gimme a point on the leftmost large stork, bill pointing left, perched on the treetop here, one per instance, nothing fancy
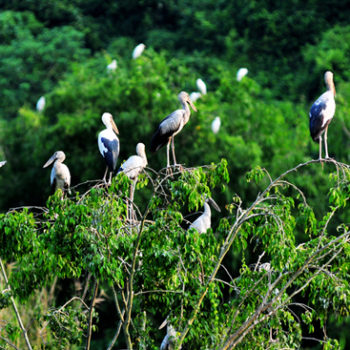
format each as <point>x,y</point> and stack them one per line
<point>60,175</point>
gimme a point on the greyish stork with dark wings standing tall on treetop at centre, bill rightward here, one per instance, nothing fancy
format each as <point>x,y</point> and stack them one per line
<point>172,125</point>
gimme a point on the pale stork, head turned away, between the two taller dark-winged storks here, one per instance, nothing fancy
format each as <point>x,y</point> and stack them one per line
<point>132,167</point>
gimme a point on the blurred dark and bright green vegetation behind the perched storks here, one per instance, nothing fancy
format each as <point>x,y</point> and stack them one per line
<point>60,50</point>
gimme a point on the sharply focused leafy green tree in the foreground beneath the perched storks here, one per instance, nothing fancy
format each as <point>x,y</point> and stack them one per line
<point>154,268</point>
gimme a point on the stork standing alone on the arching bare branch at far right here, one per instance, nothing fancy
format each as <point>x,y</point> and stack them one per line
<point>321,114</point>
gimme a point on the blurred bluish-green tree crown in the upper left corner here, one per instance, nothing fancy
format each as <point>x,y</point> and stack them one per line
<point>33,58</point>
